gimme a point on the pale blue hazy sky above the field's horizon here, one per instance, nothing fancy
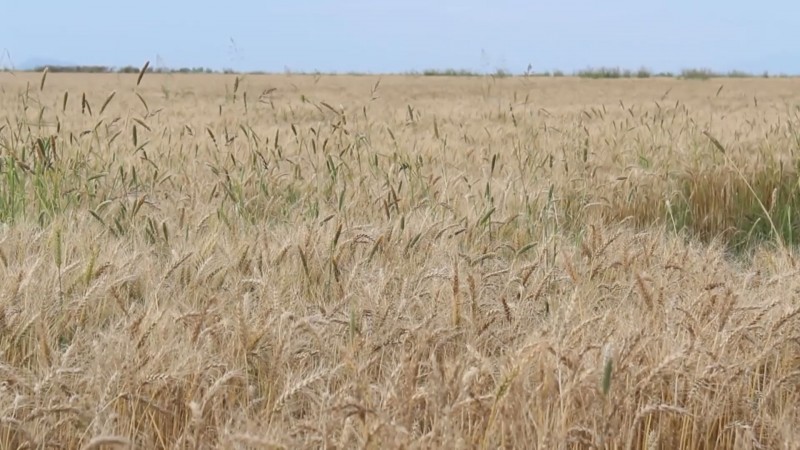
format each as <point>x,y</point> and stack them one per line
<point>382,36</point>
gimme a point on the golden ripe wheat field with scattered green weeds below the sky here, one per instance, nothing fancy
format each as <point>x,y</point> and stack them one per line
<point>223,261</point>
